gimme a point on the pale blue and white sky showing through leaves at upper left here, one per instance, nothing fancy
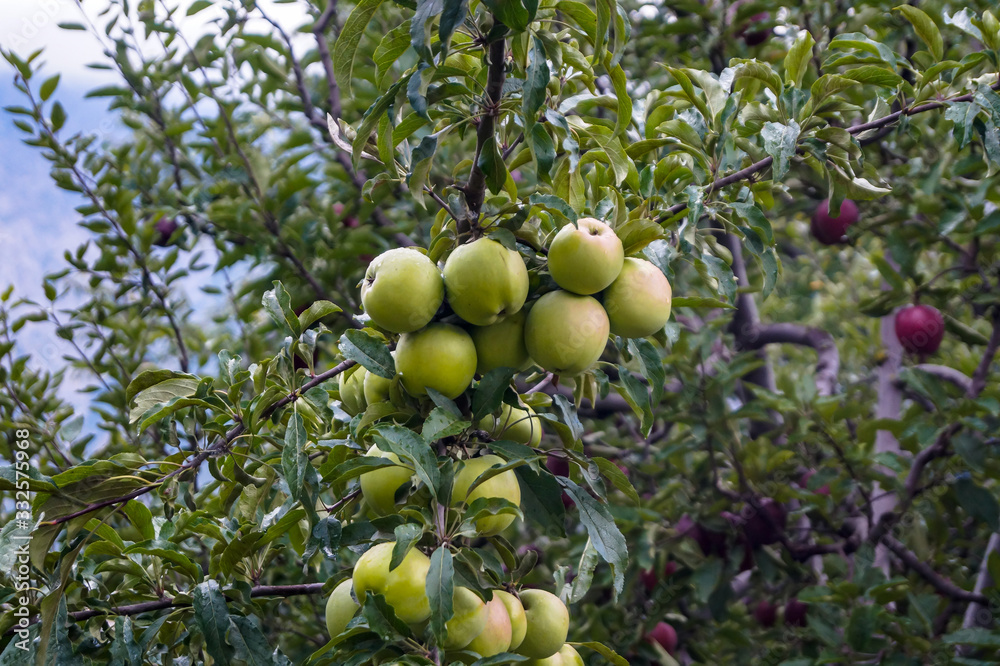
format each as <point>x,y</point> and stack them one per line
<point>38,222</point>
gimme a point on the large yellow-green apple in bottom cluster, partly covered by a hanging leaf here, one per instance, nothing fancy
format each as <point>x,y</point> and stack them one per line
<point>404,588</point>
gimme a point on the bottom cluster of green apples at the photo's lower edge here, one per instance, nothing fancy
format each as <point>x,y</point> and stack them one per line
<point>532,623</point>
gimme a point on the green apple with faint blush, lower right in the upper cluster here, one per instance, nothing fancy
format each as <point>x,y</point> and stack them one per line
<point>566,333</point>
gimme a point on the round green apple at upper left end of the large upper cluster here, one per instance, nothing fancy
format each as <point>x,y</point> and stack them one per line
<point>402,290</point>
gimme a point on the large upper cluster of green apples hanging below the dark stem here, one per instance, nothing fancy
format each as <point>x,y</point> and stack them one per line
<point>486,285</point>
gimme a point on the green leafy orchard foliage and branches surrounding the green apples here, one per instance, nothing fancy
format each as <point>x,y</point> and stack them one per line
<point>769,478</point>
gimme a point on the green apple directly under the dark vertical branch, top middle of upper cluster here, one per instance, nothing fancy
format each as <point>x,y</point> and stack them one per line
<point>485,281</point>
